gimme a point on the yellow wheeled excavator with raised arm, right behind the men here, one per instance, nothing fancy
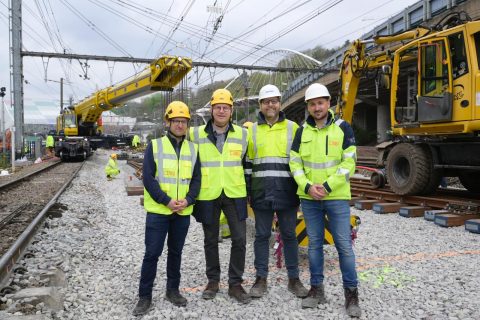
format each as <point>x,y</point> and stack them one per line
<point>432,76</point>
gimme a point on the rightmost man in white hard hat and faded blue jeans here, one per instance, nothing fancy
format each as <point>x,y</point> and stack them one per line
<point>322,159</point>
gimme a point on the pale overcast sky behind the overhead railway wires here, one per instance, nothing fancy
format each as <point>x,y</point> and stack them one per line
<point>147,29</point>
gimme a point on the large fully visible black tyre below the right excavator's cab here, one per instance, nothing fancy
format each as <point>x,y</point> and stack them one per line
<point>409,168</point>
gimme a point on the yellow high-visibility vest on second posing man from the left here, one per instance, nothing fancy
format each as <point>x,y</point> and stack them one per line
<point>221,171</point>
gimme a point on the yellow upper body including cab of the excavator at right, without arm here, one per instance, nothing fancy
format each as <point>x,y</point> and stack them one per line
<point>432,84</point>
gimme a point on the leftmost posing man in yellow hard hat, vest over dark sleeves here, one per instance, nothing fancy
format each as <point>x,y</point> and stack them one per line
<point>171,176</point>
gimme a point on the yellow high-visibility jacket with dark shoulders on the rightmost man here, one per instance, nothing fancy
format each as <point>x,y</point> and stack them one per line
<point>321,159</point>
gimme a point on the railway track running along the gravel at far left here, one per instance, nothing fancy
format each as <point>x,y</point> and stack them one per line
<point>24,202</point>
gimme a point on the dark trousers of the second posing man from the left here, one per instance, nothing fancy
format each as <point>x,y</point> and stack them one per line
<point>238,237</point>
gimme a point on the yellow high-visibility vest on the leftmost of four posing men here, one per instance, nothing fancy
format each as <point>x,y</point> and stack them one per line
<point>173,174</point>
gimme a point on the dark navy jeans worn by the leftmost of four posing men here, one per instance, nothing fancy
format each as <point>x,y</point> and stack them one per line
<point>156,229</point>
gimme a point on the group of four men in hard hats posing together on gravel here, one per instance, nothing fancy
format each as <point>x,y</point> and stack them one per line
<point>220,167</point>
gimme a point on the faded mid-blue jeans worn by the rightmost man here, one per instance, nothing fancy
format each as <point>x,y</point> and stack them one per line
<point>338,213</point>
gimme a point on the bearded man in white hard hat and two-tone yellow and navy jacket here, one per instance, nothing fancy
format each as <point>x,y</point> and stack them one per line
<point>272,189</point>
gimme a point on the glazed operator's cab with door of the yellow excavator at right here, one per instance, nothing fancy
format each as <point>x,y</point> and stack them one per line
<point>423,93</point>
